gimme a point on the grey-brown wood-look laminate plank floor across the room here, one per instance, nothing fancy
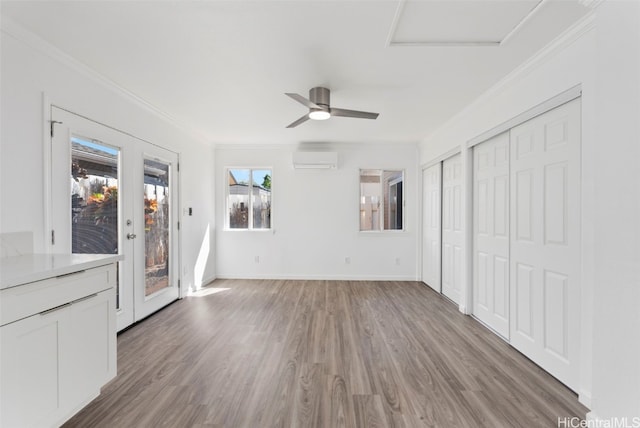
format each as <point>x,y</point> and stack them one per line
<point>284,353</point>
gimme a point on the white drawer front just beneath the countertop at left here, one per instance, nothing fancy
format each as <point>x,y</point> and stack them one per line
<point>29,299</point>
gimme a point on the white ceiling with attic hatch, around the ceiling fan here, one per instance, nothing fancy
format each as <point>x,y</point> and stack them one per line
<point>221,68</point>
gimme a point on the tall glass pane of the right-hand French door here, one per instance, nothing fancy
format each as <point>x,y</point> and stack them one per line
<point>157,224</point>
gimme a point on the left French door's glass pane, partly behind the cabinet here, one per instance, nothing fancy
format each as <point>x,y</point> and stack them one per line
<point>94,199</point>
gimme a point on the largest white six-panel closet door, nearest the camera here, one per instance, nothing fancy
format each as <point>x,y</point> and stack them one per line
<point>545,240</point>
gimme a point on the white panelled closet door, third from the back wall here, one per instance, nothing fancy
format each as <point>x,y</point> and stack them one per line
<point>491,233</point>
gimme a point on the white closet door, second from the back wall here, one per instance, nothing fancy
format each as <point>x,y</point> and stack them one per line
<point>452,237</point>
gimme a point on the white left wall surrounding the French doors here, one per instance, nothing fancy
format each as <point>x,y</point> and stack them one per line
<point>26,73</point>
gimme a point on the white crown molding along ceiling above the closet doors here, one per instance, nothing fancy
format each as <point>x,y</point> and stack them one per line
<point>560,43</point>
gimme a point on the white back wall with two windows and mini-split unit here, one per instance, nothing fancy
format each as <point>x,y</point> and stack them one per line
<point>316,218</point>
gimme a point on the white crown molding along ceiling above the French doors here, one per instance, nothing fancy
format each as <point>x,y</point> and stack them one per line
<point>13,29</point>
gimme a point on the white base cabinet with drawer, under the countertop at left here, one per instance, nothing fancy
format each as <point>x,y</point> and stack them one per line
<point>55,359</point>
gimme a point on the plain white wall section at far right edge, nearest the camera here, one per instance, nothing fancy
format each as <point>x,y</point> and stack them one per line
<point>616,315</point>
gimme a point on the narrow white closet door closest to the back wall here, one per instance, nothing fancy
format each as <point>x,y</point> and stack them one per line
<point>431,240</point>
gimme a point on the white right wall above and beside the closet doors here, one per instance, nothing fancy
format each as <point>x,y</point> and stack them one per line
<point>601,54</point>
